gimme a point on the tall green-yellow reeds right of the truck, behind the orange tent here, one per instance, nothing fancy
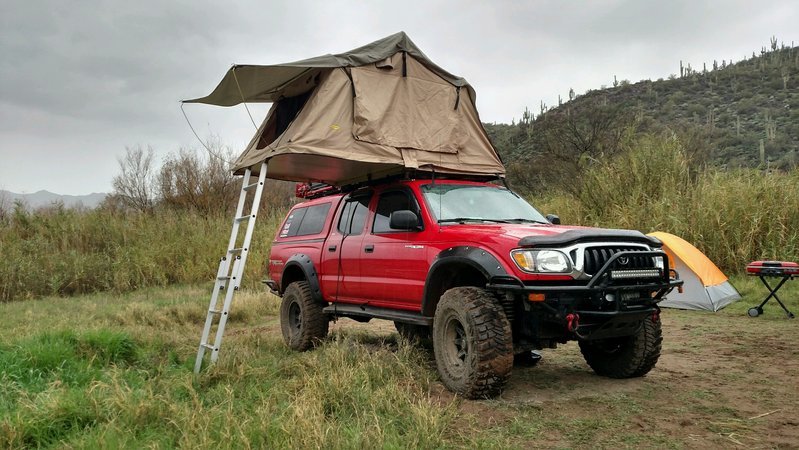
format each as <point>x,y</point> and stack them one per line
<point>733,216</point>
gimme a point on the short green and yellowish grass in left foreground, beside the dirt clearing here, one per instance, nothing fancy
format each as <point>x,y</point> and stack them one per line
<point>97,372</point>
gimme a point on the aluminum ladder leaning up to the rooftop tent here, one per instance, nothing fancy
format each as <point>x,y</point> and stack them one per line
<point>228,276</point>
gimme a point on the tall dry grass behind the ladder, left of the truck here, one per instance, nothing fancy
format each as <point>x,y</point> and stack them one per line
<point>58,251</point>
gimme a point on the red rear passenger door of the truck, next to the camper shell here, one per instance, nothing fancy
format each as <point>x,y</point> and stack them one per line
<point>340,255</point>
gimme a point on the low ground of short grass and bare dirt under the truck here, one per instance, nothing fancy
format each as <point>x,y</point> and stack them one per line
<point>107,371</point>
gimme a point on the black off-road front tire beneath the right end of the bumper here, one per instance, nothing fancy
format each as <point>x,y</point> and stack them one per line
<point>625,357</point>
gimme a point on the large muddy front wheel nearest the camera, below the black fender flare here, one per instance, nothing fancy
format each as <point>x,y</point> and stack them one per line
<point>472,342</point>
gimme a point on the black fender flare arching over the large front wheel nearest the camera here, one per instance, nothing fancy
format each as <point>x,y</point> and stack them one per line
<point>481,260</point>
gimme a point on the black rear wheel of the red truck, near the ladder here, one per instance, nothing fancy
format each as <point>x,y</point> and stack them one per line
<point>301,318</point>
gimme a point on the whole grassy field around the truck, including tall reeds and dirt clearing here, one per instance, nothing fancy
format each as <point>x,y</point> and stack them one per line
<point>99,352</point>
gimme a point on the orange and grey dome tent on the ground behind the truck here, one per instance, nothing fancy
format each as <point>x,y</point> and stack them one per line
<point>706,287</point>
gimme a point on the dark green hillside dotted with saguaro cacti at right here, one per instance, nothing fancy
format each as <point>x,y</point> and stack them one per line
<point>743,113</point>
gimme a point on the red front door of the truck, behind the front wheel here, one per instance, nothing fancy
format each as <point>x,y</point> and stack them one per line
<point>394,262</point>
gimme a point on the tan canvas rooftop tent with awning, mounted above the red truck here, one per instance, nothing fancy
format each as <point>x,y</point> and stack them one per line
<point>377,110</point>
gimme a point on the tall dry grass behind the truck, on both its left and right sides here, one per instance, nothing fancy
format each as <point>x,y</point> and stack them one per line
<point>733,216</point>
